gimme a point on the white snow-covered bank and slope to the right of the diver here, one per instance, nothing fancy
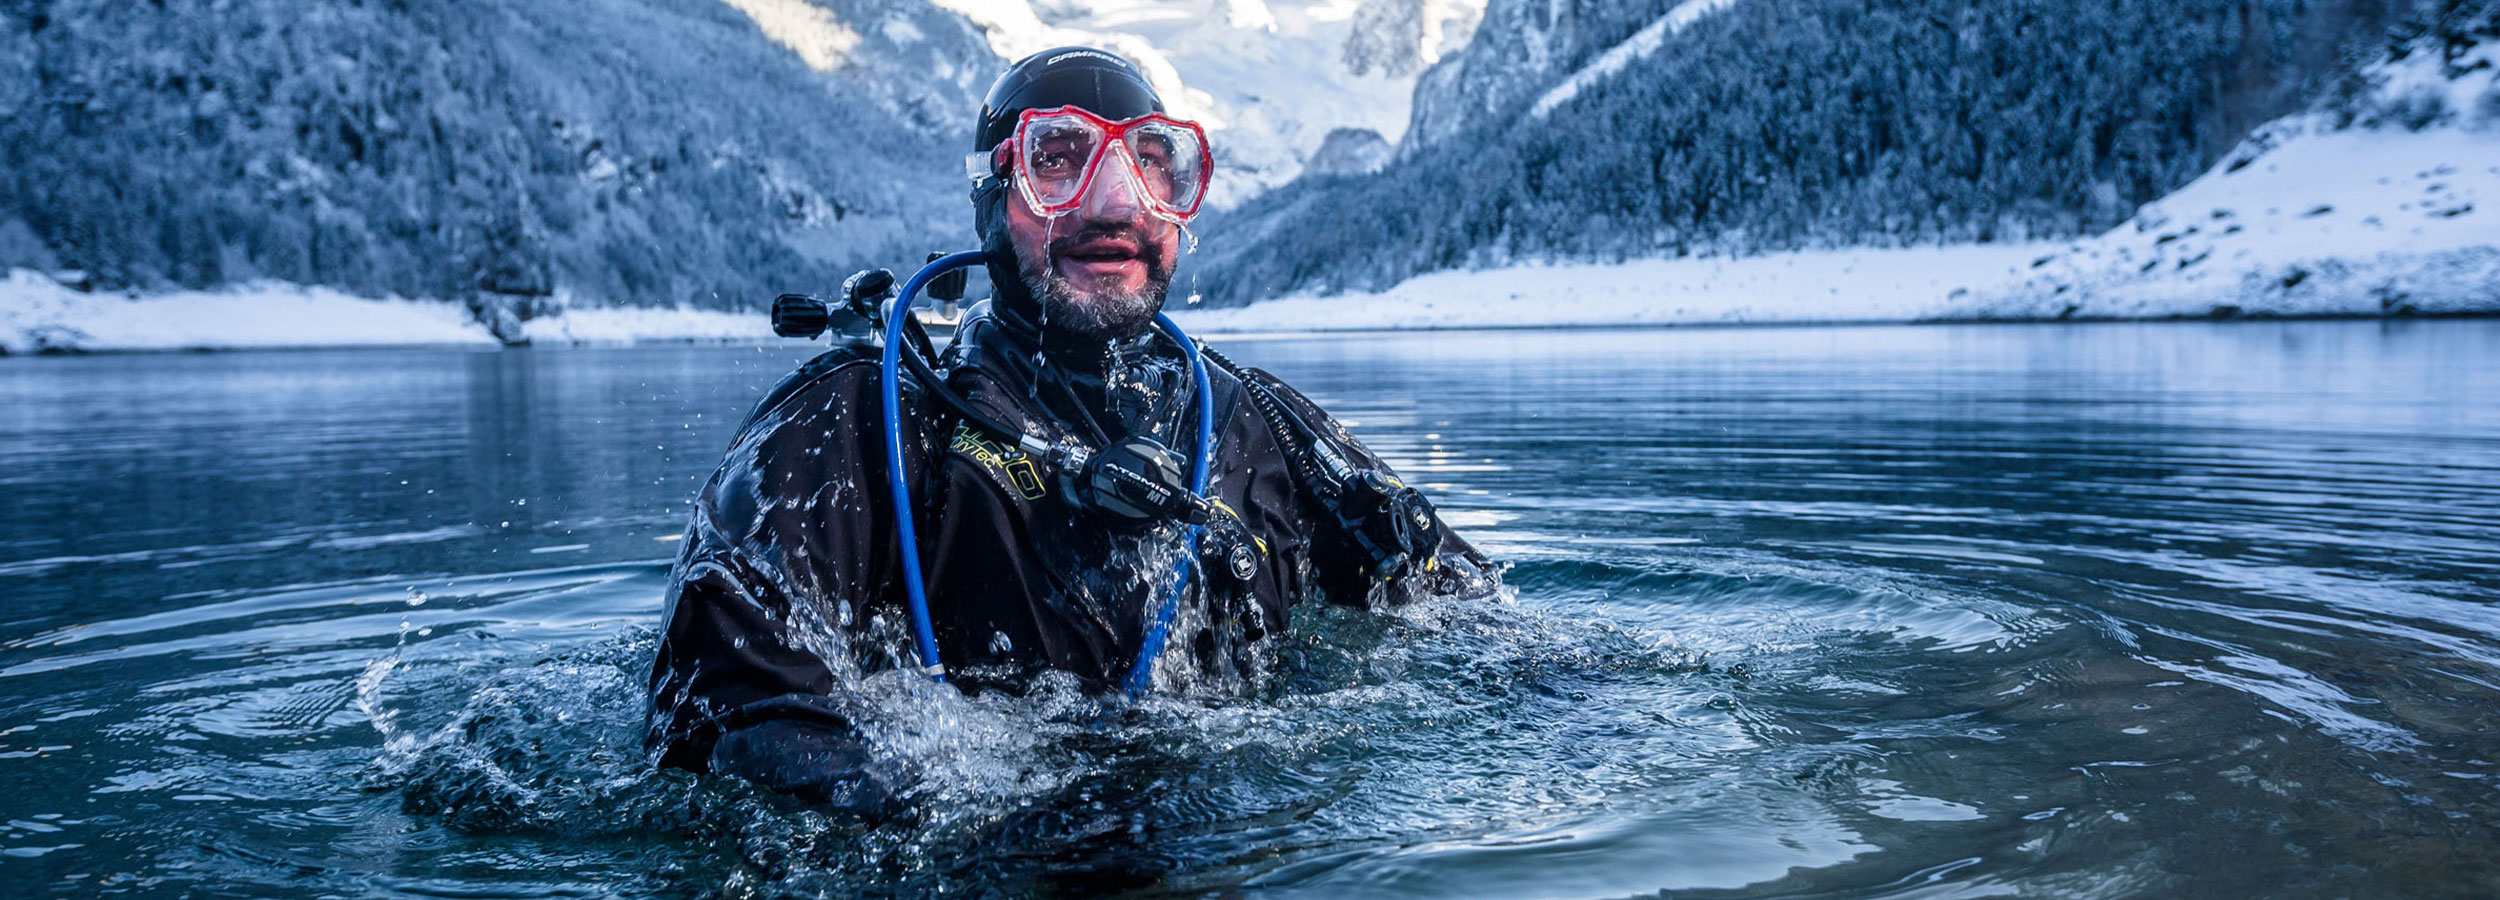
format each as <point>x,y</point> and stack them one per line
<point>2381,206</point>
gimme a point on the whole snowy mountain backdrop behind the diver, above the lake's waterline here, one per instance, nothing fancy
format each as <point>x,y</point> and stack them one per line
<point>531,156</point>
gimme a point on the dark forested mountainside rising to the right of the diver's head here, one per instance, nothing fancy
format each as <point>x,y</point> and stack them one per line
<point>1586,131</point>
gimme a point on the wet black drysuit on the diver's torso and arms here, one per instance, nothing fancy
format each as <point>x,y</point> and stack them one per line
<point>794,549</point>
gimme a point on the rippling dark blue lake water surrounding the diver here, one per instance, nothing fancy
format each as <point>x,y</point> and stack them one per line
<point>1864,611</point>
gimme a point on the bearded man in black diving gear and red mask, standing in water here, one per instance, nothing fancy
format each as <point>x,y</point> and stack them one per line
<point>1091,491</point>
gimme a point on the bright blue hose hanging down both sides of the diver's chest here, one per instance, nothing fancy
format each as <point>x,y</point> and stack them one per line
<point>924,634</point>
